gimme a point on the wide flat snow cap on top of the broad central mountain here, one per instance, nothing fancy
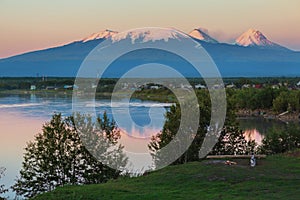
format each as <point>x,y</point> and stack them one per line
<point>148,34</point>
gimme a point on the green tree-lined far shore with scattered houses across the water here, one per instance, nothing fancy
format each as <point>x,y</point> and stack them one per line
<point>270,98</point>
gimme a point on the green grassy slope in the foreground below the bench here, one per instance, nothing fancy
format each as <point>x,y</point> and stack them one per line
<point>276,177</point>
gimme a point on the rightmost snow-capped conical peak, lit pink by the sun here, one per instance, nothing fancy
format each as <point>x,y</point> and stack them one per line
<point>254,37</point>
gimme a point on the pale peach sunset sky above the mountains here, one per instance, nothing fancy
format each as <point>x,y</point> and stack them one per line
<point>28,25</point>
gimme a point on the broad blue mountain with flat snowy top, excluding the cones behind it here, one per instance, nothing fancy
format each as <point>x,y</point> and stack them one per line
<point>232,59</point>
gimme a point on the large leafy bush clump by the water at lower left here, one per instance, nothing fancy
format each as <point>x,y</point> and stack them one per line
<point>58,157</point>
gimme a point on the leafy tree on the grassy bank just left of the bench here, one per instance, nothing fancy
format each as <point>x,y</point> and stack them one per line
<point>231,140</point>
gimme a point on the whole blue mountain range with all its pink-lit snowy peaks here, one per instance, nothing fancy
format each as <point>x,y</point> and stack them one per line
<point>252,55</point>
